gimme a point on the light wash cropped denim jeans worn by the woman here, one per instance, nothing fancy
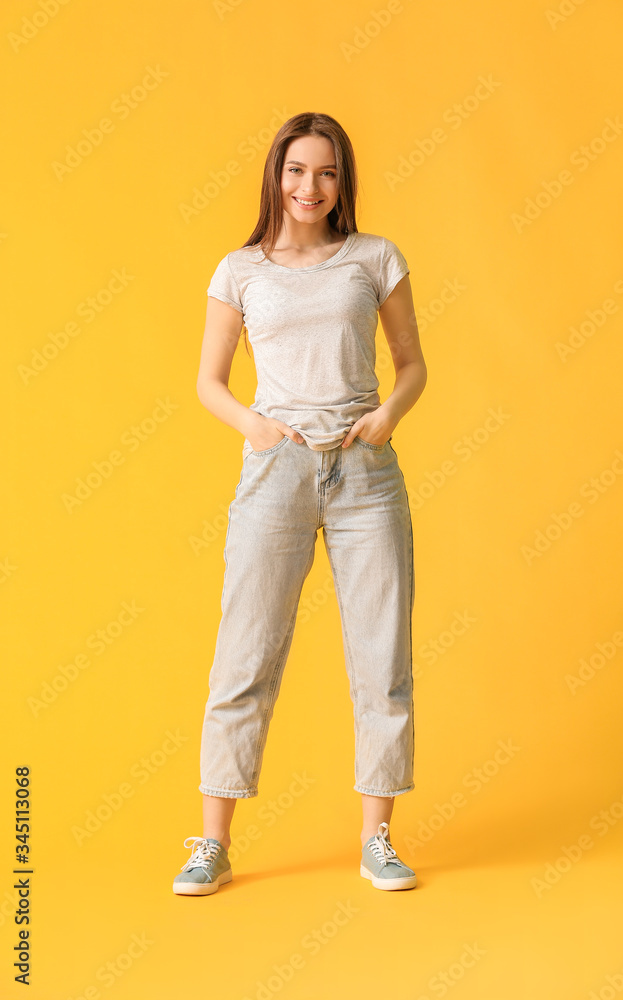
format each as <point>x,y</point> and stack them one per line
<point>285,494</point>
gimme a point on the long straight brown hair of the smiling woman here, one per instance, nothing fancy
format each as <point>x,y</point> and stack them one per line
<point>342,215</point>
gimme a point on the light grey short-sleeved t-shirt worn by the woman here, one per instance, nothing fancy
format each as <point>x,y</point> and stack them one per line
<point>312,331</point>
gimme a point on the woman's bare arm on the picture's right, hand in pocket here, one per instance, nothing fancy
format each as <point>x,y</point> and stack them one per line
<point>400,327</point>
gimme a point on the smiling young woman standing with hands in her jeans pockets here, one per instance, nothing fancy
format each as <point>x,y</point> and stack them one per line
<point>309,287</point>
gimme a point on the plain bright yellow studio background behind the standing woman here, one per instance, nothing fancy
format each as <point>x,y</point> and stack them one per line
<point>478,508</point>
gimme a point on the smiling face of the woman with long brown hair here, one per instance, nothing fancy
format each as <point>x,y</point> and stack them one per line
<point>309,173</point>
